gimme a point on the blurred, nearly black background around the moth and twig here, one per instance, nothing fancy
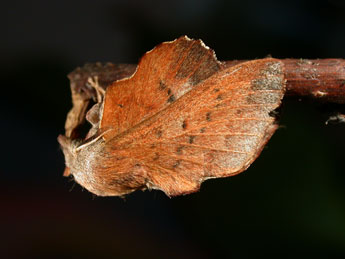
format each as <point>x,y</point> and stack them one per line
<point>290,202</point>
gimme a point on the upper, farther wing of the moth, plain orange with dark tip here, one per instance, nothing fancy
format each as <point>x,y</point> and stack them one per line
<point>164,75</point>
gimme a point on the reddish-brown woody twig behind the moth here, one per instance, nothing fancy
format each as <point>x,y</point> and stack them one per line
<point>321,79</point>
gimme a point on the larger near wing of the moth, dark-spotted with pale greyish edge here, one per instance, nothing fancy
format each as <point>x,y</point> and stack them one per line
<point>215,130</point>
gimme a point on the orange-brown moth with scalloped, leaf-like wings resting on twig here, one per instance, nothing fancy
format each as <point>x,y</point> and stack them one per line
<point>183,117</point>
